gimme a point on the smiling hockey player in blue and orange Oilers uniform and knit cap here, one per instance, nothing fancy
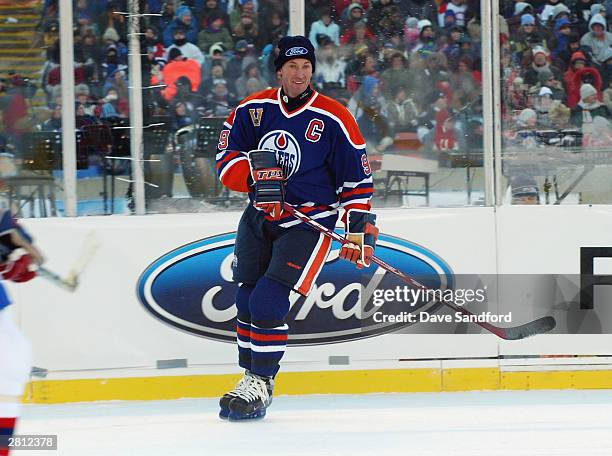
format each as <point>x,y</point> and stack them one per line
<point>292,145</point>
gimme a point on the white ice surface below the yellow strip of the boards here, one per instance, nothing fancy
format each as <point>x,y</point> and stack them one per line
<point>521,423</point>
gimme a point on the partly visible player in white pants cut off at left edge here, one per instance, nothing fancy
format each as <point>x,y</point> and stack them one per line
<point>17,254</point>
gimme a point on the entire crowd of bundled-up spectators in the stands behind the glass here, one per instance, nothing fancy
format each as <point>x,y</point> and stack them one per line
<point>409,66</point>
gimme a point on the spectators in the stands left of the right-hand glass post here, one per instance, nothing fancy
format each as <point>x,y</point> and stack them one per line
<point>410,66</point>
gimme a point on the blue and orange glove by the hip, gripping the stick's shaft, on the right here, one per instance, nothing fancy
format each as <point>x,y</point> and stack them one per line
<point>361,232</point>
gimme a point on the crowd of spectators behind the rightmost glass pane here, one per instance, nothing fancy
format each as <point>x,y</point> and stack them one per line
<point>556,66</point>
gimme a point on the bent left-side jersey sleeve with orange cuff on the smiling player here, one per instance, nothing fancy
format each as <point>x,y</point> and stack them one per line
<point>232,159</point>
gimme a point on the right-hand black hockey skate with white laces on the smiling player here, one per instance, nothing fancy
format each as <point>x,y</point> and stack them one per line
<point>252,399</point>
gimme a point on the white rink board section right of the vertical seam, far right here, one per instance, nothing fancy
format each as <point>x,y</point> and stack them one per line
<point>547,240</point>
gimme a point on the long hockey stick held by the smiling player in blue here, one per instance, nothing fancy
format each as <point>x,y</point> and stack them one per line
<point>539,326</point>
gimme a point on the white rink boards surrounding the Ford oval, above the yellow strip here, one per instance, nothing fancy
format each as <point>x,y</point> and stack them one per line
<point>104,326</point>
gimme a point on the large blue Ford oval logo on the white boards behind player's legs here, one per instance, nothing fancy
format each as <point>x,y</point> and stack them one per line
<point>190,288</point>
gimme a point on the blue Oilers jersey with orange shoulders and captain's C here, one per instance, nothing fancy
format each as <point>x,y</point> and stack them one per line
<point>319,147</point>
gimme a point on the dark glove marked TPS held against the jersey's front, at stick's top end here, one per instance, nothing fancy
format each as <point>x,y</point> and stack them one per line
<point>268,182</point>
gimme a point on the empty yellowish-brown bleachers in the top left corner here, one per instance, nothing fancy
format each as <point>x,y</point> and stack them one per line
<point>22,50</point>
